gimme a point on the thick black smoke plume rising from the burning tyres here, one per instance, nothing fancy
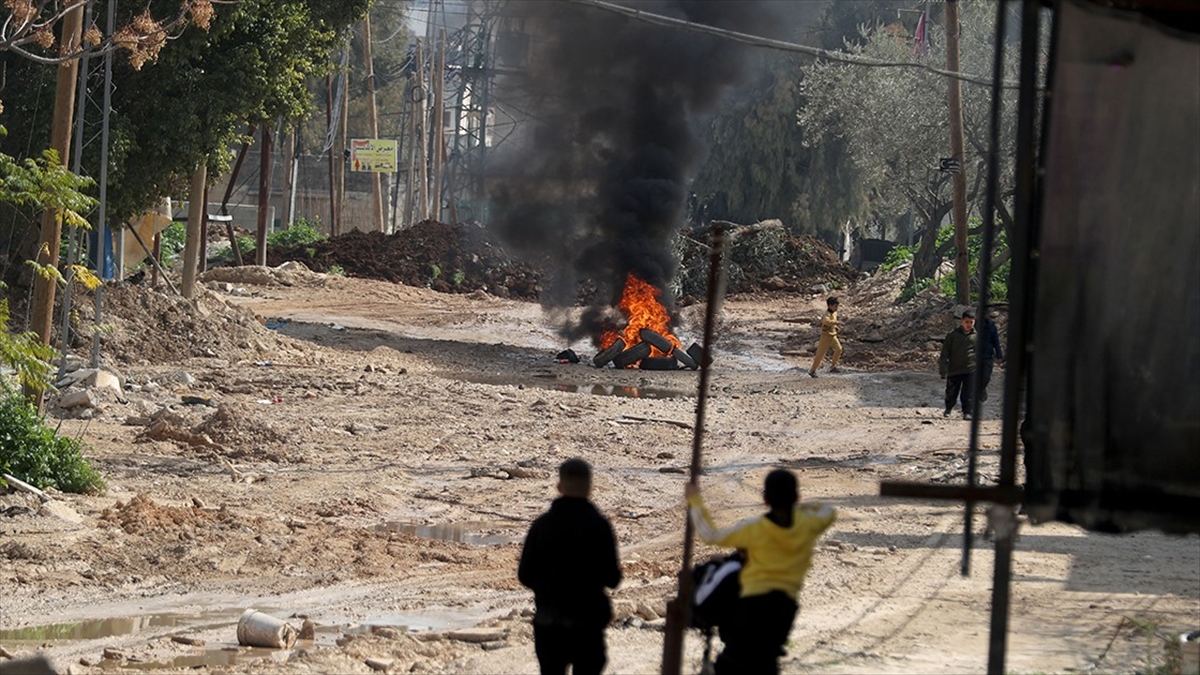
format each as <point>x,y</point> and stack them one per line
<point>597,187</point>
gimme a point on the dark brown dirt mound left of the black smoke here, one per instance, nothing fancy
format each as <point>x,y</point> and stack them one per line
<point>461,259</point>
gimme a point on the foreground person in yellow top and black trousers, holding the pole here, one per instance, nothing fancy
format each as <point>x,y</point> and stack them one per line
<point>779,552</point>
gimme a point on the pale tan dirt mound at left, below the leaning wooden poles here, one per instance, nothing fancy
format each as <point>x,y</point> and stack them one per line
<point>141,325</point>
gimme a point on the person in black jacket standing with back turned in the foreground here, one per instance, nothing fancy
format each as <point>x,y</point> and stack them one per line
<point>568,560</point>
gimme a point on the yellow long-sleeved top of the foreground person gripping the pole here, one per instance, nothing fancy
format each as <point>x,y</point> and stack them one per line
<point>778,559</point>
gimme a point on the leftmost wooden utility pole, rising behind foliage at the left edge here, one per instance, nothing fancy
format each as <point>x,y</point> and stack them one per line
<point>61,140</point>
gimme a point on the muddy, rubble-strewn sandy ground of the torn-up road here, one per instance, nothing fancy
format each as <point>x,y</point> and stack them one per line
<point>371,461</point>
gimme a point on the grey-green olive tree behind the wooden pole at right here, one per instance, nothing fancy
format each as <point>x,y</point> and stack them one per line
<point>895,126</point>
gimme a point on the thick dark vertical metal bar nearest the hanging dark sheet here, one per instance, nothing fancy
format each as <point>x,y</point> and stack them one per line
<point>1019,325</point>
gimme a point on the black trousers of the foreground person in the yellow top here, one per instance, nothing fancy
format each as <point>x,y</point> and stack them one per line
<point>758,638</point>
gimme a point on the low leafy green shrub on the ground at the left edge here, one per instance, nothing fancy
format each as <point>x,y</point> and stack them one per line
<point>35,453</point>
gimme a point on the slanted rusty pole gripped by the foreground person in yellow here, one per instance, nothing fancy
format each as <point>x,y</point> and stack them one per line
<point>680,610</point>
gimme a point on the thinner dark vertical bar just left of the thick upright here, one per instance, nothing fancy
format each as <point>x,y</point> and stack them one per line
<point>989,234</point>
